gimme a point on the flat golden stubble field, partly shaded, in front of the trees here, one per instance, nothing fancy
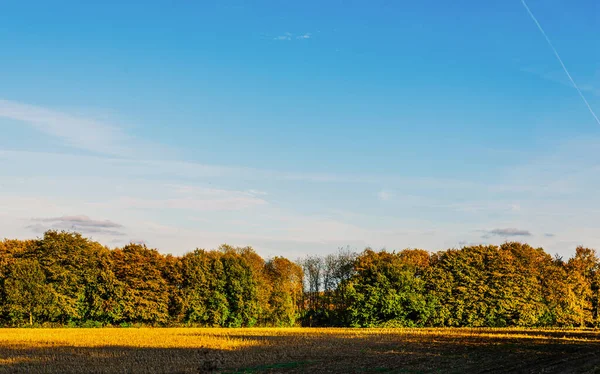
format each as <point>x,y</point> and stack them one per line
<point>191,350</point>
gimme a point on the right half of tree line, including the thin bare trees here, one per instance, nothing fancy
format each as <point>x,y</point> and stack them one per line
<point>493,286</point>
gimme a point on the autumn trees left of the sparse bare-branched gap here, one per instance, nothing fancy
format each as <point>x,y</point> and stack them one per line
<point>64,278</point>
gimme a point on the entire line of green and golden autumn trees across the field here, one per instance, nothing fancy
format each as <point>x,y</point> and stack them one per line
<point>65,279</point>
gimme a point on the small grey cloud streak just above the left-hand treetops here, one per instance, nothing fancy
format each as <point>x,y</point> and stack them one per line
<point>79,223</point>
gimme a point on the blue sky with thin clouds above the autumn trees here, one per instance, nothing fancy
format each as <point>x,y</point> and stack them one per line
<point>301,127</point>
